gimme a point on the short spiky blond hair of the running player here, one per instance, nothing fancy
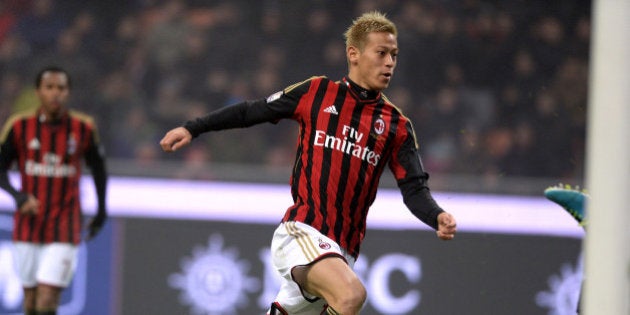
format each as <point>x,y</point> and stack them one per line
<point>370,22</point>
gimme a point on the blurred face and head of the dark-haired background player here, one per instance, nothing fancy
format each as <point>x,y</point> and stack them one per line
<point>53,92</point>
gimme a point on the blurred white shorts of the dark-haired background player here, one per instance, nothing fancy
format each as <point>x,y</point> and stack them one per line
<point>52,264</point>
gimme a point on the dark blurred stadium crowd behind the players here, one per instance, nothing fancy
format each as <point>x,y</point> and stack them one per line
<point>494,88</point>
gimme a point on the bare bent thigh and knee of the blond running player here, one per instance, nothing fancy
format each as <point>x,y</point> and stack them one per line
<point>329,278</point>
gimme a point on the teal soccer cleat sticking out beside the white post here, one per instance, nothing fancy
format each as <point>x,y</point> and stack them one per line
<point>571,199</point>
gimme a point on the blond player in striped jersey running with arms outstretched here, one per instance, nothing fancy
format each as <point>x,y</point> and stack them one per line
<point>348,133</point>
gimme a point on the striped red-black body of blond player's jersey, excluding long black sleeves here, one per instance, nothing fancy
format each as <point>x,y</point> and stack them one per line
<point>345,141</point>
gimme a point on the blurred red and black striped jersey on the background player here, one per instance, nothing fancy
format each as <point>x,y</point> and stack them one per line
<point>49,156</point>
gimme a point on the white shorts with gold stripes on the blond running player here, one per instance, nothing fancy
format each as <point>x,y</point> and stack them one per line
<point>296,244</point>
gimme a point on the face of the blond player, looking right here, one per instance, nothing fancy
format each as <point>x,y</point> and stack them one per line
<point>376,63</point>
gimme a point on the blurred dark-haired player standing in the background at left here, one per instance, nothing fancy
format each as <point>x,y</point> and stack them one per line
<point>48,143</point>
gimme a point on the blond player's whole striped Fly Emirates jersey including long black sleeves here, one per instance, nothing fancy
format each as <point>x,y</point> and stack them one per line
<point>347,136</point>
